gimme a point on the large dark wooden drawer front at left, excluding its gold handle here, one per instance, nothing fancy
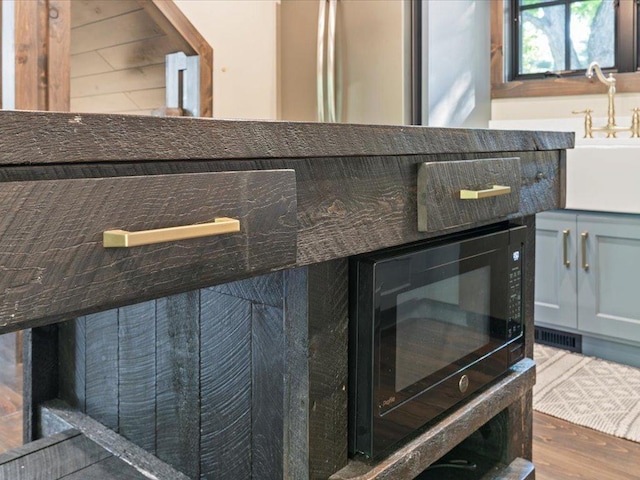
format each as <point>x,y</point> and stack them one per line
<point>53,263</point>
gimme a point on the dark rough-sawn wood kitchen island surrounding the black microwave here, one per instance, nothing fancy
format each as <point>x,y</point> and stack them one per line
<point>226,356</point>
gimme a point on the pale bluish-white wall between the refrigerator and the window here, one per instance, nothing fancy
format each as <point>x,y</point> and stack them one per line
<point>458,47</point>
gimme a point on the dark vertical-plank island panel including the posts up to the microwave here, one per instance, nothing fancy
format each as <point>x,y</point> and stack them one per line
<point>242,380</point>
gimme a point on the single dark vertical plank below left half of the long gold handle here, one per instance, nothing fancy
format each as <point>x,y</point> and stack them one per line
<point>137,374</point>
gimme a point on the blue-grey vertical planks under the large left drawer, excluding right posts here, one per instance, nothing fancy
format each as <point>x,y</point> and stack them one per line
<point>198,379</point>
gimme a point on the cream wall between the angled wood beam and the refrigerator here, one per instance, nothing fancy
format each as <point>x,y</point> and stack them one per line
<point>243,37</point>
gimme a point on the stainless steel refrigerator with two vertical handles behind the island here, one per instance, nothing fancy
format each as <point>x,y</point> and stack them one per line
<point>353,61</point>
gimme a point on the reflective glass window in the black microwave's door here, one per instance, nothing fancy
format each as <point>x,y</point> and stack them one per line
<point>443,319</point>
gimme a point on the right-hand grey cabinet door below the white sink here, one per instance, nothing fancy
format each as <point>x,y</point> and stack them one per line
<point>609,263</point>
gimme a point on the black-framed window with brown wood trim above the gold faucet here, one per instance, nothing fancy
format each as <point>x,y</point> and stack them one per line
<point>549,39</point>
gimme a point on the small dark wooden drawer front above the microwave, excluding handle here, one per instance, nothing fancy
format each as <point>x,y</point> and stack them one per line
<point>440,183</point>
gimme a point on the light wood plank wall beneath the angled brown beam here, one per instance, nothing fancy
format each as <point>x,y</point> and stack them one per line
<point>117,57</point>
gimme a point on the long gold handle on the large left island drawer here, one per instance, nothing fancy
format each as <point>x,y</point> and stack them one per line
<point>124,239</point>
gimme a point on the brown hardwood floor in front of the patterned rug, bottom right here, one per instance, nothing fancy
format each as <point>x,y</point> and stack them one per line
<point>562,450</point>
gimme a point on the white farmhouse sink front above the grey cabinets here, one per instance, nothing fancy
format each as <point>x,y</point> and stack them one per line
<point>604,175</point>
